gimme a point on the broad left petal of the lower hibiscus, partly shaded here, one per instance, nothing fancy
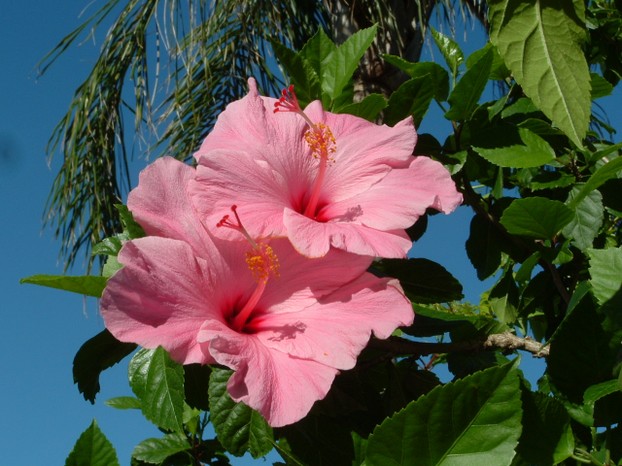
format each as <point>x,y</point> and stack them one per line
<point>160,298</point>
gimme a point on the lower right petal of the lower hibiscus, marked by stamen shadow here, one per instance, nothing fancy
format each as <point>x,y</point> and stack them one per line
<point>336,329</point>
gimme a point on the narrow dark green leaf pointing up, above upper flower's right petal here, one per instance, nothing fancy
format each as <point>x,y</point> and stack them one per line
<point>463,99</point>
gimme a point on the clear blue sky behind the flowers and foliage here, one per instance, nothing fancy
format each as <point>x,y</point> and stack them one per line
<point>42,413</point>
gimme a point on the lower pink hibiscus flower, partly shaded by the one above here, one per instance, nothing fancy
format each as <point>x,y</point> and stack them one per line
<point>285,323</point>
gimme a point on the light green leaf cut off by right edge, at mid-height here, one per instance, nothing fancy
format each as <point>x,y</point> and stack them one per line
<point>606,272</point>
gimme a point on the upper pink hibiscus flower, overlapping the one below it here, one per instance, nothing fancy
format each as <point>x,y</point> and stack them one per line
<point>318,178</point>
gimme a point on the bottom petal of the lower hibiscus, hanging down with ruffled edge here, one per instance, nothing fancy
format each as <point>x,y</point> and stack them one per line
<point>282,388</point>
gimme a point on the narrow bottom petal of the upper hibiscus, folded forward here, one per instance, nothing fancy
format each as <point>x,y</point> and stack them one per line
<point>313,239</point>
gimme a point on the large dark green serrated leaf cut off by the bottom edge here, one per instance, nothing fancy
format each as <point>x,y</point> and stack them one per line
<point>472,421</point>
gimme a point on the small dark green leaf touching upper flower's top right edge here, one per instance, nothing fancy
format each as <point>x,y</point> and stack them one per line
<point>412,98</point>
